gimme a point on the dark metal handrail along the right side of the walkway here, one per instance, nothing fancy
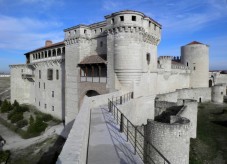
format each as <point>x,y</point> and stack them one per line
<point>132,138</point>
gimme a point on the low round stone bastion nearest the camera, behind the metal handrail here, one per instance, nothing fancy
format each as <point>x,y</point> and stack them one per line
<point>172,140</point>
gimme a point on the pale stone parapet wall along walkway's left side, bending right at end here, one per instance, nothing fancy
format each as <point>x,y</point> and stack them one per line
<point>75,148</point>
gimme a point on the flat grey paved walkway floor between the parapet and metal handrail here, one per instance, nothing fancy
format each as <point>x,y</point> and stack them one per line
<point>106,143</point>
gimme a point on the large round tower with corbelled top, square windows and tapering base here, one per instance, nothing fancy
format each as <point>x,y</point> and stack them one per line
<point>132,45</point>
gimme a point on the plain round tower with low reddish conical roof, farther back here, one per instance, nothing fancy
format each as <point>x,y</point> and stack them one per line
<point>195,55</point>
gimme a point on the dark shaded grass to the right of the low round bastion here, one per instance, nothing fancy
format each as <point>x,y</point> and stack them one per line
<point>211,134</point>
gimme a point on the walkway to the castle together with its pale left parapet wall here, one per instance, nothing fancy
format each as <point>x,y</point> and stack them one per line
<point>95,137</point>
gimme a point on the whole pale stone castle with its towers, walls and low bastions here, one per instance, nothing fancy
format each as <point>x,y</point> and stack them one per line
<point>120,54</point>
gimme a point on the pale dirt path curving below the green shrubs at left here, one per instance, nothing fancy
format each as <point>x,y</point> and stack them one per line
<point>14,141</point>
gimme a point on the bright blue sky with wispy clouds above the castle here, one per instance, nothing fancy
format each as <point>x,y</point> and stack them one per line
<point>26,24</point>
